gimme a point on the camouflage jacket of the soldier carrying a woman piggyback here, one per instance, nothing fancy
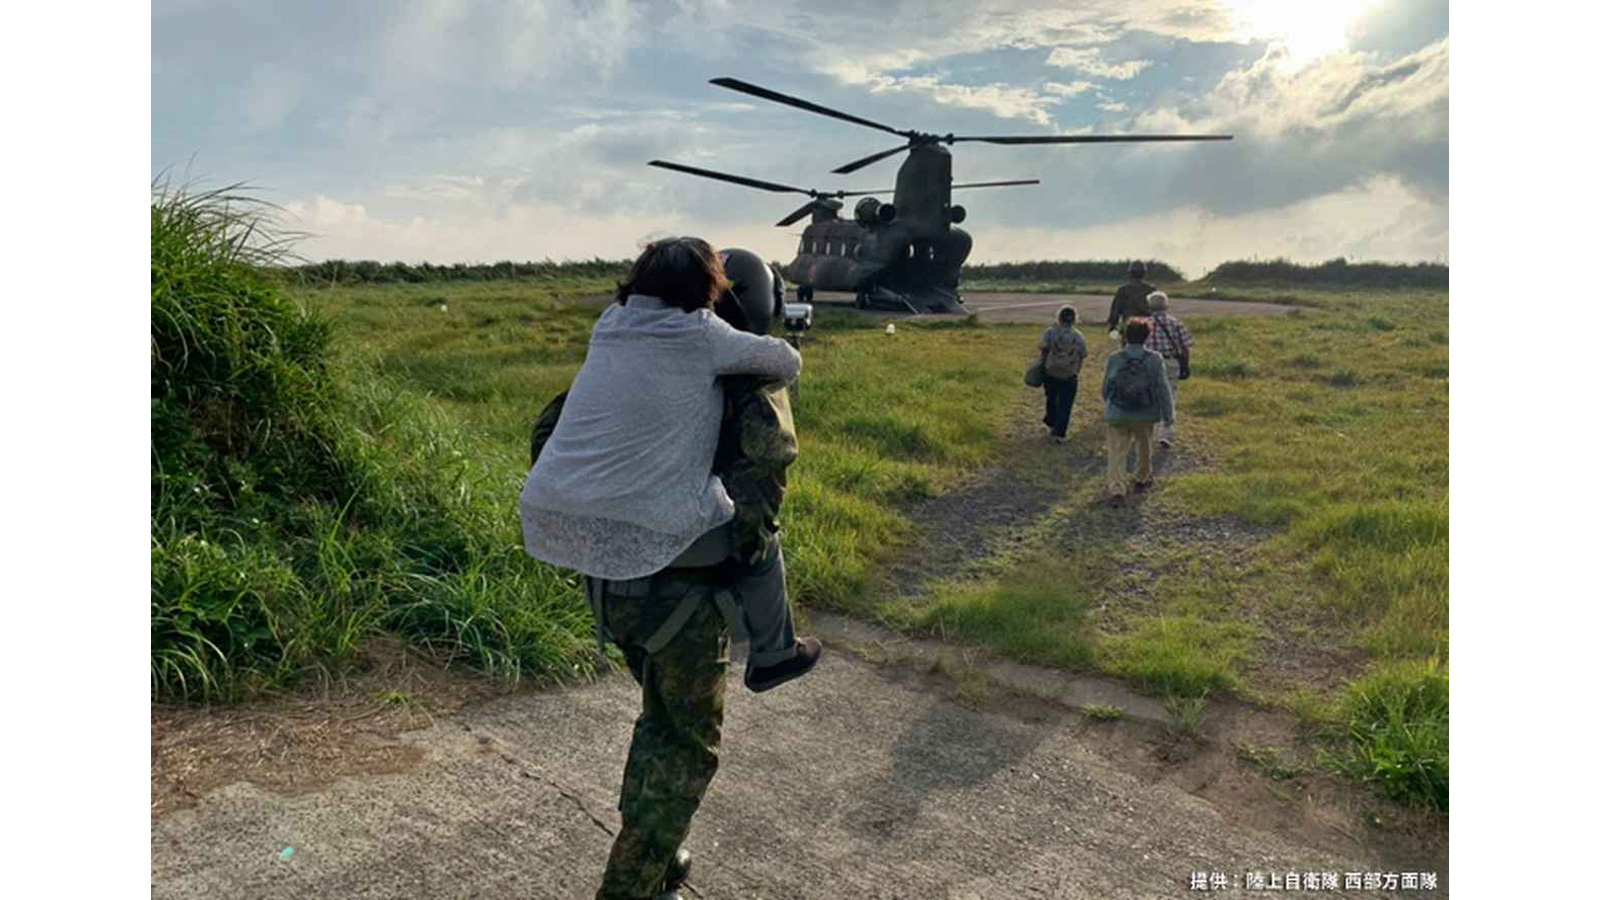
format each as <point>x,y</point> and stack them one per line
<point>754,452</point>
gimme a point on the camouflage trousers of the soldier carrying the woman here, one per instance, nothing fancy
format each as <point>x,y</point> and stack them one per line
<point>679,729</point>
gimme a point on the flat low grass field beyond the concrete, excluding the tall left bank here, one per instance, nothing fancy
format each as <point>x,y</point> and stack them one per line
<point>1324,436</point>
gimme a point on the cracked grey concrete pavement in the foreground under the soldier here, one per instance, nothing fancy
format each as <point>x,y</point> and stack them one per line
<point>862,781</point>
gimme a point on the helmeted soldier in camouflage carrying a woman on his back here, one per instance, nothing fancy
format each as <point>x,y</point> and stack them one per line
<point>674,627</point>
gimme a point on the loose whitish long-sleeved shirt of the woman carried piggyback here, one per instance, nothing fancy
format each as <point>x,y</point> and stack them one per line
<point>625,483</point>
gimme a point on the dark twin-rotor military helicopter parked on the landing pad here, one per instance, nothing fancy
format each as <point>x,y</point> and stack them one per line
<point>905,255</point>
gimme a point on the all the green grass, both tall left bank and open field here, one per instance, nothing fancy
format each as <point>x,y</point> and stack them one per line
<point>330,462</point>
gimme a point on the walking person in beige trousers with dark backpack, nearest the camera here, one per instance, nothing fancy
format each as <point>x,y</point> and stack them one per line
<point>1137,398</point>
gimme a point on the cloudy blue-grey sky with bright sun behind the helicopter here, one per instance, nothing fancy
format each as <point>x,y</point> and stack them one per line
<point>479,131</point>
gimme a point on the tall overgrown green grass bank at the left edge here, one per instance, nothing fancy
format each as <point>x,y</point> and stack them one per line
<point>294,510</point>
